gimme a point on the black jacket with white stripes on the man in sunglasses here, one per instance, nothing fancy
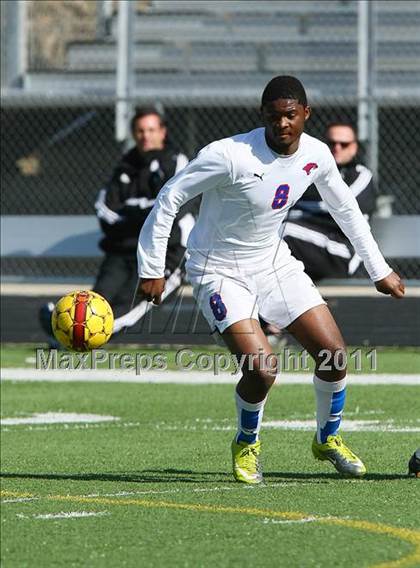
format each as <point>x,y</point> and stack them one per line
<point>312,212</point>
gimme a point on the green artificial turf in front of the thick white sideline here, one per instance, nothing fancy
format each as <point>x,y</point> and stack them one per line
<point>160,480</point>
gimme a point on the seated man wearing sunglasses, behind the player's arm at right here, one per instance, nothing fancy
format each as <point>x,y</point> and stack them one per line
<point>311,233</point>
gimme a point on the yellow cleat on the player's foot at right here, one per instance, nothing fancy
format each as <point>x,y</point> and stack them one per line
<point>343,459</point>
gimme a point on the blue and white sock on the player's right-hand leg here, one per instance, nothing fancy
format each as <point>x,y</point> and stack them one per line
<point>330,398</point>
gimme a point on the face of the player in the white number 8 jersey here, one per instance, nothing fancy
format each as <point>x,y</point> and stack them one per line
<point>284,121</point>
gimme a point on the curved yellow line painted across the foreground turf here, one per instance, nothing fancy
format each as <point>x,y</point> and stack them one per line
<point>409,535</point>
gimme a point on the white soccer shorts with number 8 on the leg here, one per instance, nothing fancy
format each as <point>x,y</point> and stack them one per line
<point>278,294</point>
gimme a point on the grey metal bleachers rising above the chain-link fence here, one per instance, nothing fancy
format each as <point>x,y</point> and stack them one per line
<point>224,44</point>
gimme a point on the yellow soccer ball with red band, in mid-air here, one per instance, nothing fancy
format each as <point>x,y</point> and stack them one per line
<point>82,320</point>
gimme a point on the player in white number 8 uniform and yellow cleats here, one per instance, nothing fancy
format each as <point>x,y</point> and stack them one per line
<point>240,267</point>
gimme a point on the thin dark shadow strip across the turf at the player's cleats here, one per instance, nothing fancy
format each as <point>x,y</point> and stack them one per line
<point>190,476</point>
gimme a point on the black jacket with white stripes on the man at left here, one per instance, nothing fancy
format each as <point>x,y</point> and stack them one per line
<point>124,203</point>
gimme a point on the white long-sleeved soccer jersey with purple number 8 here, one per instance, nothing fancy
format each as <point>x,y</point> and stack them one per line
<point>247,190</point>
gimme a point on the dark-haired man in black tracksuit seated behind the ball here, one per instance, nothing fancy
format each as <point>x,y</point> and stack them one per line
<point>125,202</point>
